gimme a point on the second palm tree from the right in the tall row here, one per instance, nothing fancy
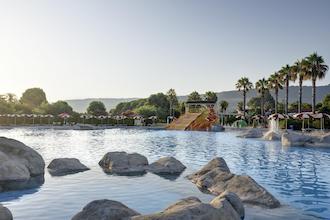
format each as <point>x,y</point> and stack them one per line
<point>299,71</point>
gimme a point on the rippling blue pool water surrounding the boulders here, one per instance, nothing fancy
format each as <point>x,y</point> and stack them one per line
<point>299,177</point>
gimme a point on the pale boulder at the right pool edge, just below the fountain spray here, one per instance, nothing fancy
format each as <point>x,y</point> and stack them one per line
<point>290,139</point>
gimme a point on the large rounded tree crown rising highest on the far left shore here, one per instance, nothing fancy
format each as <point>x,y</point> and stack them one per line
<point>33,97</point>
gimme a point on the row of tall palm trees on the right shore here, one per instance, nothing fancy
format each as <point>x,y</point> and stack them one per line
<point>311,68</point>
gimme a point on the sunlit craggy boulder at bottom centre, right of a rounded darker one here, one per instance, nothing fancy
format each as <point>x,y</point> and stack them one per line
<point>193,208</point>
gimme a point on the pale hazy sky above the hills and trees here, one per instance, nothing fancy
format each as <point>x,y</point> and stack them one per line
<point>103,48</point>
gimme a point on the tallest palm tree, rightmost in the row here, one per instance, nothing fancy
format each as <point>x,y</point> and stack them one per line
<point>316,70</point>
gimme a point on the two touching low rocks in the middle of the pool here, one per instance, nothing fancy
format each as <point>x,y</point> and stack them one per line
<point>123,163</point>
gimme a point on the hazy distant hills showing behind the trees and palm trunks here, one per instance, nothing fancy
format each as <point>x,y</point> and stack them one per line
<point>233,97</point>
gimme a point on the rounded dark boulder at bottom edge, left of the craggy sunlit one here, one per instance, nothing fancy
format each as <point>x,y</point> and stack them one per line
<point>105,209</point>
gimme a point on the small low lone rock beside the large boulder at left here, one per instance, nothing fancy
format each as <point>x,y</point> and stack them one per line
<point>63,166</point>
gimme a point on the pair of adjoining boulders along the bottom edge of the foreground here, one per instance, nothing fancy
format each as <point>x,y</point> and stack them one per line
<point>227,206</point>
